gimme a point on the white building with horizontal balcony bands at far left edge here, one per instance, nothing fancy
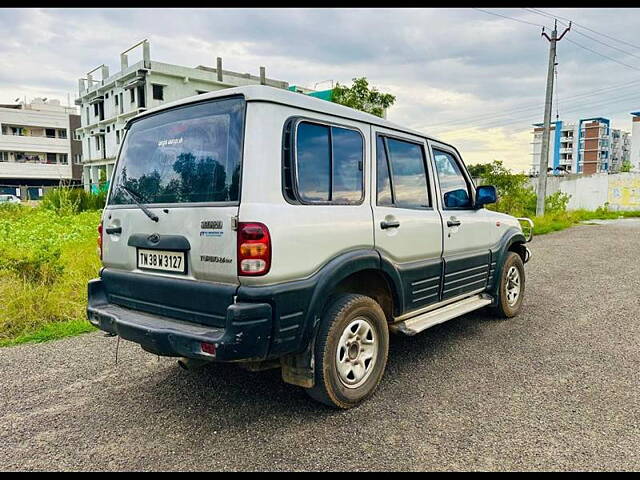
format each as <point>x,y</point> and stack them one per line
<point>37,147</point>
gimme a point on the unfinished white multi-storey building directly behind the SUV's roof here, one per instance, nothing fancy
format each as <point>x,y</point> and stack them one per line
<point>106,104</point>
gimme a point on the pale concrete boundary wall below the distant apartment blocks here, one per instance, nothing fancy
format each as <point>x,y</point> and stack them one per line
<point>621,191</point>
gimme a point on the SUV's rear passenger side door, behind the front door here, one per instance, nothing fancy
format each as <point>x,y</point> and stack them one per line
<point>407,227</point>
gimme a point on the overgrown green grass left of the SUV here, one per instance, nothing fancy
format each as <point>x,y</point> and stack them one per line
<point>46,260</point>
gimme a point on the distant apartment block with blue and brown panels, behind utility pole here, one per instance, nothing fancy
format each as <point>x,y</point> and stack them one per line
<point>587,146</point>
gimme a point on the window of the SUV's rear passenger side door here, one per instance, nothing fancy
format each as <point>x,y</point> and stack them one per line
<point>408,185</point>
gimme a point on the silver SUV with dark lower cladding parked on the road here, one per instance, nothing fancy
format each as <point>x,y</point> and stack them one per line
<point>266,227</point>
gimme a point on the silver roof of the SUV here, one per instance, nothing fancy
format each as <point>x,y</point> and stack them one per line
<point>264,93</point>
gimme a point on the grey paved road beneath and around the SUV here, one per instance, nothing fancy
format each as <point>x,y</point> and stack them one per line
<point>556,388</point>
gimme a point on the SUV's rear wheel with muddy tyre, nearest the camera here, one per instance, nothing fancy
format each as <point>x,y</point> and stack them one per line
<point>349,324</point>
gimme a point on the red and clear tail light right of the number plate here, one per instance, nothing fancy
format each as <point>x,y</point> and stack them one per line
<point>254,249</point>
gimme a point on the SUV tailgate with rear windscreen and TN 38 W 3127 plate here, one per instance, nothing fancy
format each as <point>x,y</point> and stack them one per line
<point>183,164</point>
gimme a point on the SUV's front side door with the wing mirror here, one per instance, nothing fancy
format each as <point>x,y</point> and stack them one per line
<point>467,231</point>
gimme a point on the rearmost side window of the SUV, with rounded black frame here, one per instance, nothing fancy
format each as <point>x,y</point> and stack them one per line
<point>327,165</point>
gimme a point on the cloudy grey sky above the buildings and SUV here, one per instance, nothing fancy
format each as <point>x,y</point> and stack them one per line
<point>466,76</point>
